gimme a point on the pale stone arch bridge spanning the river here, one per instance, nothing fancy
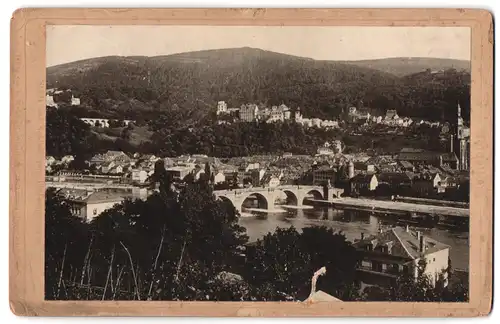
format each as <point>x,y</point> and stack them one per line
<point>296,195</point>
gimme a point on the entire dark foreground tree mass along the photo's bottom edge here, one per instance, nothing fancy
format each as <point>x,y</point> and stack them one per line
<point>186,245</point>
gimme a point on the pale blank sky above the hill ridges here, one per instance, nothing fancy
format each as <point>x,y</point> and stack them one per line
<point>77,42</point>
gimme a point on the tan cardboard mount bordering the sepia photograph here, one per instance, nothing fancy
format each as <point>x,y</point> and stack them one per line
<point>27,152</point>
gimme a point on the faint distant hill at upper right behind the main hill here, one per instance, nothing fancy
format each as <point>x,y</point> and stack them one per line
<point>401,66</point>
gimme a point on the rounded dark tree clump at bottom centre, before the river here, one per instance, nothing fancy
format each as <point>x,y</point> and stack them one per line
<point>286,260</point>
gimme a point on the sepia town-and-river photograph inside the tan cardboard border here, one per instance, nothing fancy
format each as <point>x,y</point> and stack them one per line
<point>257,163</point>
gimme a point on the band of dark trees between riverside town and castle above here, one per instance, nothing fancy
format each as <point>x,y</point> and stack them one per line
<point>170,136</point>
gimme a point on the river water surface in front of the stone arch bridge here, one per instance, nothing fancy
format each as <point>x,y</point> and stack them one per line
<point>352,223</point>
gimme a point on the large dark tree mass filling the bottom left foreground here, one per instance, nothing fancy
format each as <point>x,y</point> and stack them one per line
<point>169,247</point>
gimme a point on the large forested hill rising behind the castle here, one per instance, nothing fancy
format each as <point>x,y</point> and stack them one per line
<point>192,83</point>
